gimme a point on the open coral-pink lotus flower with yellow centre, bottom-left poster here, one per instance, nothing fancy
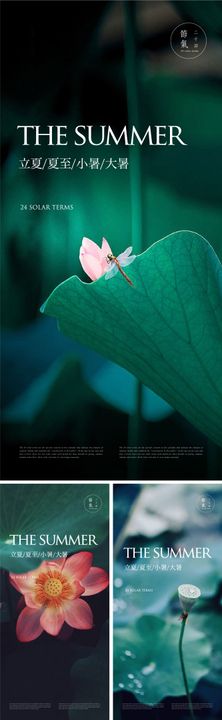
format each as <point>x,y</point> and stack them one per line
<point>53,592</point>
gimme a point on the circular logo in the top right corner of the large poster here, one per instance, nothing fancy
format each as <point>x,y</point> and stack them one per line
<point>188,41</point>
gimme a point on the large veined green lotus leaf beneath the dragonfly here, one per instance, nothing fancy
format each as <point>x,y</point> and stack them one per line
<point>166,329</point>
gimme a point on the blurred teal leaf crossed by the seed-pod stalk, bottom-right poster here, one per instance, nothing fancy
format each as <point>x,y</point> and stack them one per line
<point>146,659</point>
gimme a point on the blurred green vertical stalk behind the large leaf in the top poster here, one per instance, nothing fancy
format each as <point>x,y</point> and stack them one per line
<point>135,176</point>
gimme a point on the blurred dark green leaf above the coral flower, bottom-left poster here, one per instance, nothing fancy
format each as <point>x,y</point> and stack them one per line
<point>59,509</point>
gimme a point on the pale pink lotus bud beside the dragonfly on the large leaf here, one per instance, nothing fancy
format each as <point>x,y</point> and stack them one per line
<point>93,258</point>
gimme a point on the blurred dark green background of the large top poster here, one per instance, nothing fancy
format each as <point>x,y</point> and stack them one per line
<point>63,63</point>
